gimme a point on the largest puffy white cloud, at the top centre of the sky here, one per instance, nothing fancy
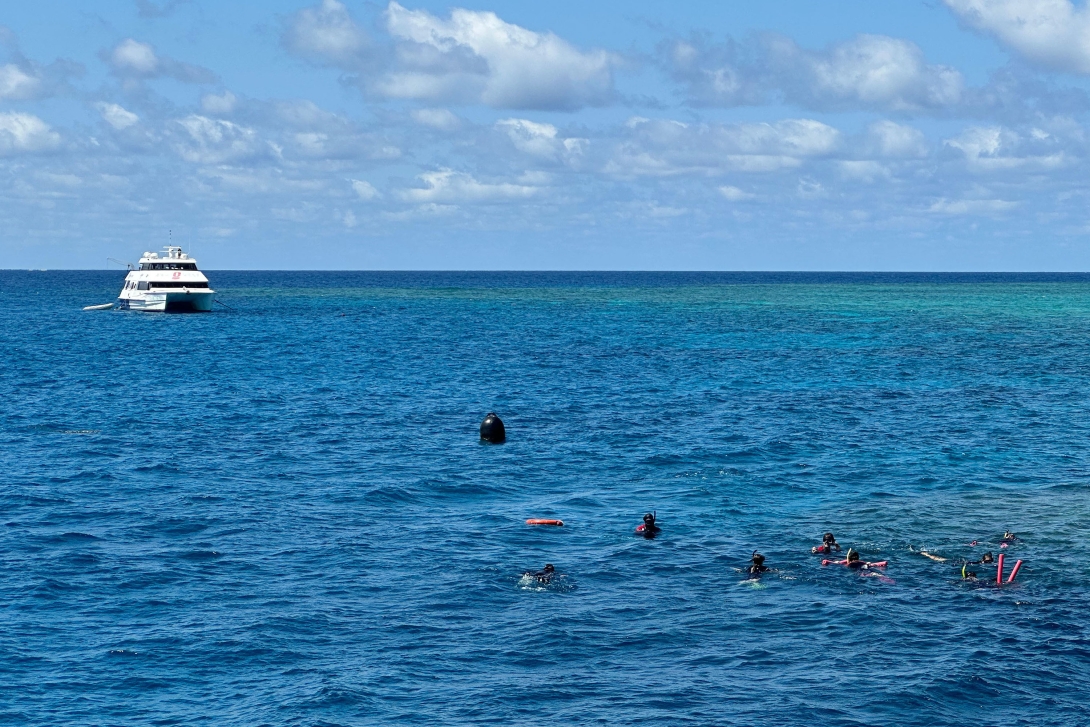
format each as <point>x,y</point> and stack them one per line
<point>476,57</point>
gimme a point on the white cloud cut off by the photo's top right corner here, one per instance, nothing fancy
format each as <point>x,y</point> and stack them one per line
<point>1053,33</point>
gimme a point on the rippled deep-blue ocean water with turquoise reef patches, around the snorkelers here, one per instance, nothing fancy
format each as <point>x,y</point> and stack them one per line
<point>281,513</point>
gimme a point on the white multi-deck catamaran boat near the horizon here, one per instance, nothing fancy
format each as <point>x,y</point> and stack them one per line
<point>171,284</point>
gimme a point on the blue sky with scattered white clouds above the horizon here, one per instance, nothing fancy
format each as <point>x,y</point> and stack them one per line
<point>947,136</point>
